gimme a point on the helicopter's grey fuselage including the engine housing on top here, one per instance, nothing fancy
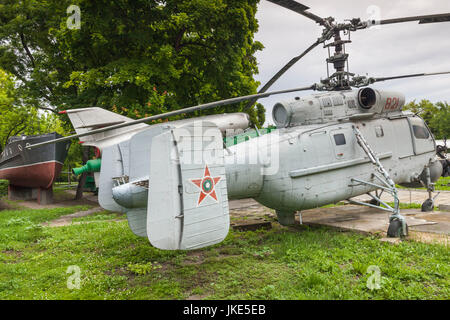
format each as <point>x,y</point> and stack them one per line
<point>315,158</point>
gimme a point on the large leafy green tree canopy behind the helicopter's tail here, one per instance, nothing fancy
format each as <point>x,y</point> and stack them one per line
<point>137,57</point>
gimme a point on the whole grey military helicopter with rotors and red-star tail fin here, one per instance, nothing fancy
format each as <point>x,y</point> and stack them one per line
<point>174,180</point>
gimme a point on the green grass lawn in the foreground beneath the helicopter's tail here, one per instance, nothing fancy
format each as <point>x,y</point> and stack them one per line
<point>281,263</point>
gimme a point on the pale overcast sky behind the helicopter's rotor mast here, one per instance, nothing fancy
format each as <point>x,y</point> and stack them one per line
<point>387,50</point>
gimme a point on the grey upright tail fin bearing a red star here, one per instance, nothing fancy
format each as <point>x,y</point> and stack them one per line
<point>188,204</point>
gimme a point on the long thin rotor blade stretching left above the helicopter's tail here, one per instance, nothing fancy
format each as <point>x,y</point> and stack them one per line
<point>174,113</point>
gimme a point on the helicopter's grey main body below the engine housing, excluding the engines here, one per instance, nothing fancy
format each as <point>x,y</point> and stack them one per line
<point>317,162</point>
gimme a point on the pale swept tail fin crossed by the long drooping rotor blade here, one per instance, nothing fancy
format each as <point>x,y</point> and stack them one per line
<point>88,119</point>
